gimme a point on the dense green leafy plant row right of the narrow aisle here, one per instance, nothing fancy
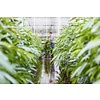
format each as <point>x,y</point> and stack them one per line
<point>77,51</point>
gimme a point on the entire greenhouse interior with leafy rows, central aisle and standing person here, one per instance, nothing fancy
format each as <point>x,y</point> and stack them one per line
<point>49,50</point>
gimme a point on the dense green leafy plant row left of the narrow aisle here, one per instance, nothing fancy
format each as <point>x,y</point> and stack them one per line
<point>19,51</point>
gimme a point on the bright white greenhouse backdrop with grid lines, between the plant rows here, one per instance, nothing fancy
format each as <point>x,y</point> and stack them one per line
<point>43,25</point>
